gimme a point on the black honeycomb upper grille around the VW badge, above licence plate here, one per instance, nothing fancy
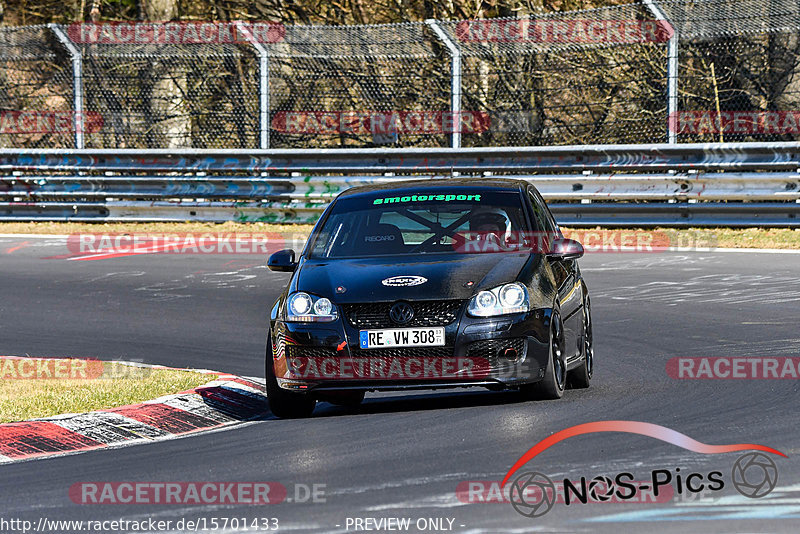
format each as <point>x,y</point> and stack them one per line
<point>426,313</point>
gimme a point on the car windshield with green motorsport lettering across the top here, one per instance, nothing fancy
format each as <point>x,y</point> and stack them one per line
<point>429,221</point>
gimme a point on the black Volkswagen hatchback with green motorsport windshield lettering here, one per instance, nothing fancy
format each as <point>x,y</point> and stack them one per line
<point>429,284</point>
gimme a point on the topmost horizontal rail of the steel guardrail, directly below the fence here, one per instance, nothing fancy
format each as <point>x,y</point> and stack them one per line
<point>655,157</point>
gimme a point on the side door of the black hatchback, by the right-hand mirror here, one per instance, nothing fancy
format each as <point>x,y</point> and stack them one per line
<point>565,273</point>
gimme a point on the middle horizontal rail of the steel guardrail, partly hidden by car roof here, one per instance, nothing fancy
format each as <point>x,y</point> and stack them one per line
<point>731,186</point>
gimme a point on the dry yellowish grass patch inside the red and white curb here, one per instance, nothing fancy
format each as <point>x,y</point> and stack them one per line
<point>118,385</point>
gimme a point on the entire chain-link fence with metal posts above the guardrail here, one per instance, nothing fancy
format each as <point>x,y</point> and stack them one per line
<point>655,71</point>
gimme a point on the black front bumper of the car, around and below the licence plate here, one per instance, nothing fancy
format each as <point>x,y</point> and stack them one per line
<point>501,352</point>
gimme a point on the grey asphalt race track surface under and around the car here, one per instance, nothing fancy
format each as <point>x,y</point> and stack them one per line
<point>404,454</point>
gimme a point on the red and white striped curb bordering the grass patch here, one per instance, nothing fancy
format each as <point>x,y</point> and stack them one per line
<point>225,402</point>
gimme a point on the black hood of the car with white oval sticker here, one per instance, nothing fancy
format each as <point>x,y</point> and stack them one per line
<point>448,276</point>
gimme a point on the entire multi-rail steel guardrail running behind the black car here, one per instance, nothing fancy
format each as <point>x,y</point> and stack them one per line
<point>725,184</point>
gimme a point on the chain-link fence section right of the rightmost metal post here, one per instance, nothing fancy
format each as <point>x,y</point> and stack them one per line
<point>738,60</point>
